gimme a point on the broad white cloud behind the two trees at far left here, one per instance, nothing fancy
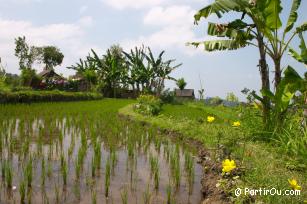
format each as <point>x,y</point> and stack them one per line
<point>70,38</point>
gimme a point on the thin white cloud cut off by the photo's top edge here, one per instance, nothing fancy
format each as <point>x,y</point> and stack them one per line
<point>135,4</point>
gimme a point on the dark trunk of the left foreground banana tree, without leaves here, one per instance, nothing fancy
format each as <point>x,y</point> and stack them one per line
<point>265,79</point>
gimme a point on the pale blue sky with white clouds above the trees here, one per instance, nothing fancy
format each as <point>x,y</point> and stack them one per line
<point>76,26</point>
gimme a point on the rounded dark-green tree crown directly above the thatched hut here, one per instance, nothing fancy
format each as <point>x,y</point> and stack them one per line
<point>51,56</point>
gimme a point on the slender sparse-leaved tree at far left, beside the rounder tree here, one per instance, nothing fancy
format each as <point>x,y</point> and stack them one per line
<point>27,55</point>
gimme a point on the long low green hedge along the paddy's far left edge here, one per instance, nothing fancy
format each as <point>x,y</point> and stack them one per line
<point>46,96</point>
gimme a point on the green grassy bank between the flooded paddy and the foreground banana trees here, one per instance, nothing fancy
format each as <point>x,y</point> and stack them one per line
<point>265,163</point>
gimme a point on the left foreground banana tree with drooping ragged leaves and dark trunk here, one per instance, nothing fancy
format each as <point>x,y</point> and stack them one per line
<point>239,34</point>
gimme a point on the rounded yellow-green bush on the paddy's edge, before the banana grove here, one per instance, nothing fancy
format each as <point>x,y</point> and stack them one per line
<point>148,105</point>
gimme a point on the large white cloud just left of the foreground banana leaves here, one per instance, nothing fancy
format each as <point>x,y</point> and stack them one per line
<point>175,25</point>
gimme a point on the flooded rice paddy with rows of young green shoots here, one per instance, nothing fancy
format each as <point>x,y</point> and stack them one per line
<point>84,153</point>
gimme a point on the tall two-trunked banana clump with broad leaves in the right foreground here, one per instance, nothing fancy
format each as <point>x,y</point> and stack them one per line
<point>263,33</point>
